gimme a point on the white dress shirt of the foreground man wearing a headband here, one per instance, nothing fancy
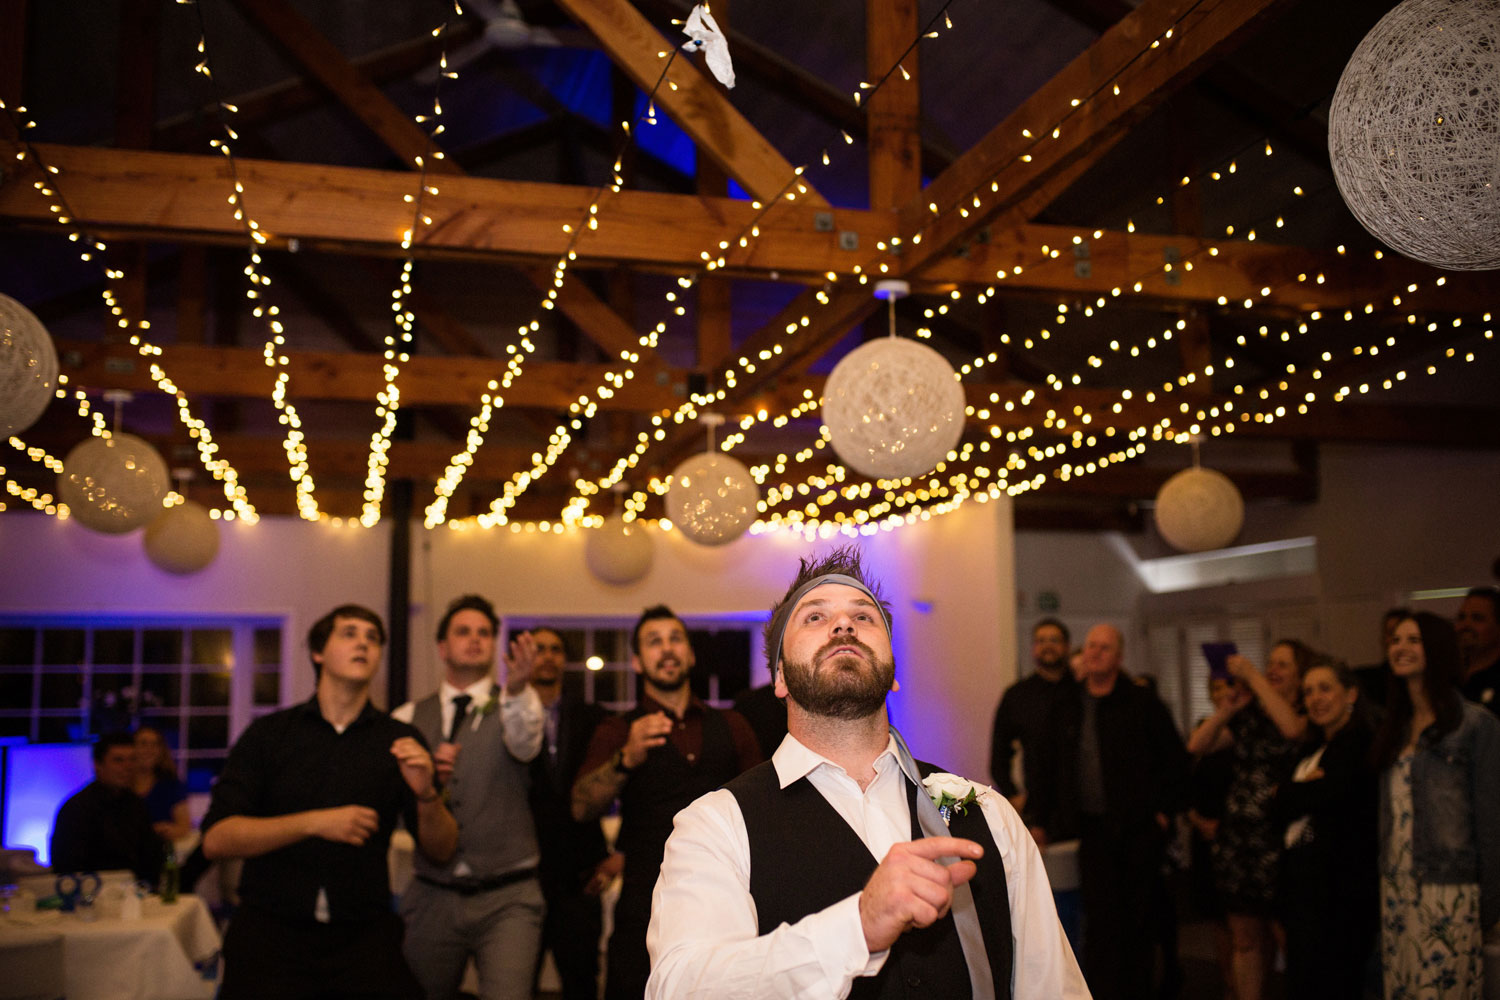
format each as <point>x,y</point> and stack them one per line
<point>704,936</point>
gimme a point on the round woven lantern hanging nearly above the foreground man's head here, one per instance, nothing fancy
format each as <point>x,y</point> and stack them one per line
<point>893,409</point>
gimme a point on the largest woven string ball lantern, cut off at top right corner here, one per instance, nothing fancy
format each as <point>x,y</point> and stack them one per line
<point>1414,133</point>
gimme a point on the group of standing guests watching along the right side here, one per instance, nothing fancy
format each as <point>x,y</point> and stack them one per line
<point>1345,821</point>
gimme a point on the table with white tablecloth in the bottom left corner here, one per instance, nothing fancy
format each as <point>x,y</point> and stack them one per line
<point>161,956</point>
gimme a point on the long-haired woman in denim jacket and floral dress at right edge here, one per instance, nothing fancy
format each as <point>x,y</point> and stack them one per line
<point>1439,761</point>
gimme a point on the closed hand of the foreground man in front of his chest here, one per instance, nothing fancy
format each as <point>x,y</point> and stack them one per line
<point>913,888</point>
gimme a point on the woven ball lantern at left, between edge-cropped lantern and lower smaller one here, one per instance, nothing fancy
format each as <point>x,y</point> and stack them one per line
<point>113,485</point>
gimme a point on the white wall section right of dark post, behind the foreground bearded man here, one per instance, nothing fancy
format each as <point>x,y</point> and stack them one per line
<point>949,582</point>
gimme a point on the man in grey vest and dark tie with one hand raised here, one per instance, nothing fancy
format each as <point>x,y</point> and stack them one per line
<point>487,902</point>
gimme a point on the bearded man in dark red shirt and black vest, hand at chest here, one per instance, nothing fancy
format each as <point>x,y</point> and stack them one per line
<point>656,759</point>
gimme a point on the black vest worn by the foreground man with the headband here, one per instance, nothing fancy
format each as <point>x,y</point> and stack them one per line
<point>805,858</point>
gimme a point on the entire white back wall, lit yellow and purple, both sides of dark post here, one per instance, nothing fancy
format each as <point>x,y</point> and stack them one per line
<point>949,581</point>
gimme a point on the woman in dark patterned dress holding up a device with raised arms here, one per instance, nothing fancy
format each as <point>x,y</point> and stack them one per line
<point>1264,728</point>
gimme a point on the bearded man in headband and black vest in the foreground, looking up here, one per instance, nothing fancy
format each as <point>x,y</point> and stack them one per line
<point>832,870</point>
